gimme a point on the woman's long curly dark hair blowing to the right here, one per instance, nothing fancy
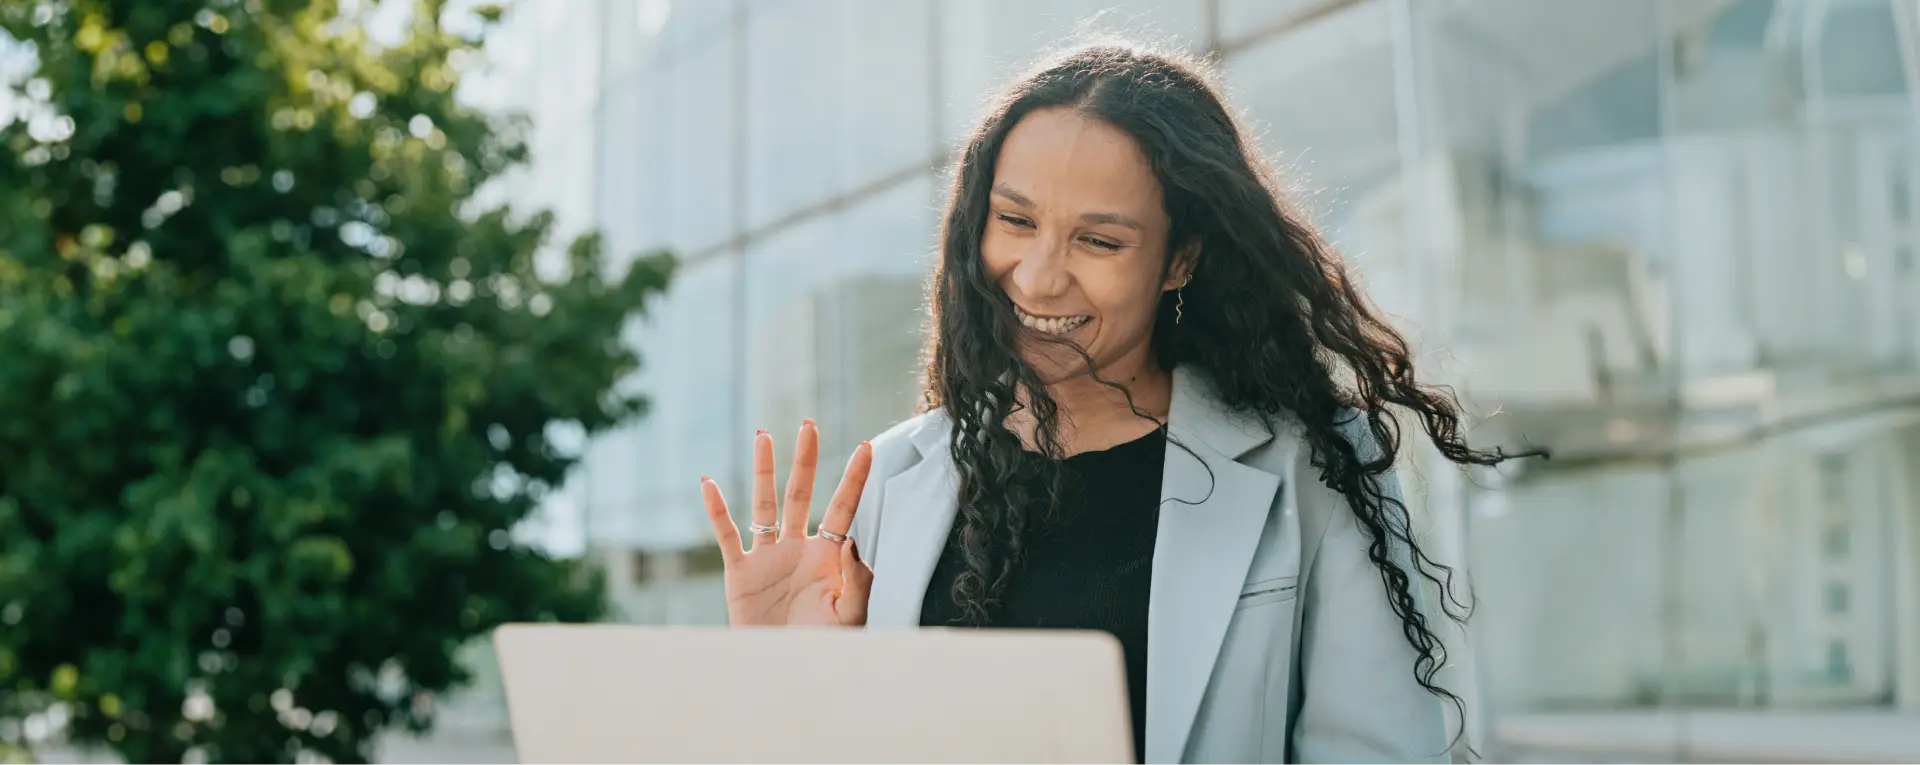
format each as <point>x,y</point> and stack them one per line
<point>1272,320</point>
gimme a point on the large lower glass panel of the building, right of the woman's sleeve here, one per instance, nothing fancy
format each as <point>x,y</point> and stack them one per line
<point>1602,597</point>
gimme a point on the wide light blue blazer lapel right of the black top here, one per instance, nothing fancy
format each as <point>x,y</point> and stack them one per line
<point>1212,512</point>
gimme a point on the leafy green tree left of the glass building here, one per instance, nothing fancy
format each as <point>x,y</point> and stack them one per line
<point>274,385</point>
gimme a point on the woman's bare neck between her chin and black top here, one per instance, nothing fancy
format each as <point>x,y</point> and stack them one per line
<point>1095,416</point>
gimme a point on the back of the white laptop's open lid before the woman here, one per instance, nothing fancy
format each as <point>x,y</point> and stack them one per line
<point>798,697</point>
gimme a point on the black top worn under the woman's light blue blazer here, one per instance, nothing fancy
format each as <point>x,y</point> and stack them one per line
<point>1090,568</point>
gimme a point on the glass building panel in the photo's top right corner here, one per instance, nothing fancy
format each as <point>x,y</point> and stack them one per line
<point>1790,170</point>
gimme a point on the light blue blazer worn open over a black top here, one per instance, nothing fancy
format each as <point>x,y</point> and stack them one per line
<point>1270,637</point>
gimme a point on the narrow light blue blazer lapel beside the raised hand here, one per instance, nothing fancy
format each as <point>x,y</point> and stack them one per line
<point>917,516</point>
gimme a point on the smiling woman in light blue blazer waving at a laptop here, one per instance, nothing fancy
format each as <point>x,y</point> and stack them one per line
<point>1157,407</point>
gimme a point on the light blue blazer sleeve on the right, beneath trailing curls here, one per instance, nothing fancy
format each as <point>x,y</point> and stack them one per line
<point>1360,703</point>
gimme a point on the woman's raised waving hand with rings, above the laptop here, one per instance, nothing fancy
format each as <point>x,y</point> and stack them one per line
<point>790,578</point>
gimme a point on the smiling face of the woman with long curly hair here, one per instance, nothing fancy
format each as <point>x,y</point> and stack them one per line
<point>1078,239</point>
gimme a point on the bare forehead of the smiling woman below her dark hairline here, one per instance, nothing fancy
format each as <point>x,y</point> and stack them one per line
<point>1061,159</point>
